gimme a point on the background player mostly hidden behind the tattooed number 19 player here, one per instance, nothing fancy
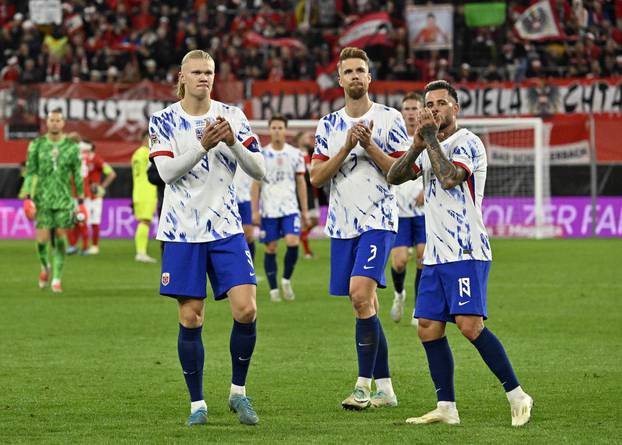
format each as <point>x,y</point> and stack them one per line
<point>411,227</point>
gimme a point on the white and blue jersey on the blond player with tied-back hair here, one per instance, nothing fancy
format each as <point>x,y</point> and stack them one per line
<point>201,206</point>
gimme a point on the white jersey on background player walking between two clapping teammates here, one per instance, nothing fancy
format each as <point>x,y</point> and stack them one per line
<point>278,187</point>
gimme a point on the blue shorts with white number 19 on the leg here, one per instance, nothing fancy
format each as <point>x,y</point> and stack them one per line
<point>451,289</point>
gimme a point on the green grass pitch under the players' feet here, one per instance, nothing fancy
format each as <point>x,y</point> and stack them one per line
<point>98,363</point>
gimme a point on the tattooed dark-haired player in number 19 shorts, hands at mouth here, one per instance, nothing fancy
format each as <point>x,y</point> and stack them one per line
<point>457,256</point>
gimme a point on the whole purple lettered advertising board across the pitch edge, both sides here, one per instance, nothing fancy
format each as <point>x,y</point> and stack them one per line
<point>566,217</point>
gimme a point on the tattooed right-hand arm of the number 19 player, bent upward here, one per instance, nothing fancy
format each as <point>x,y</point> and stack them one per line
<point>448,174</point>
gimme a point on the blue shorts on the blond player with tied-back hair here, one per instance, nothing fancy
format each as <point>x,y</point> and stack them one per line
<point>227,263</point>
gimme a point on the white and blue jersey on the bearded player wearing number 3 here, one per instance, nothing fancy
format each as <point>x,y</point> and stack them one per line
<point>360,197</point>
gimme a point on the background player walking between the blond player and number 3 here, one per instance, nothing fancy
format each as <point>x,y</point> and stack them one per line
<point>275,206</point>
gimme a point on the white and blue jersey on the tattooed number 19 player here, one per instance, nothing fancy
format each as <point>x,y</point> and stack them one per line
<point>455,228</point>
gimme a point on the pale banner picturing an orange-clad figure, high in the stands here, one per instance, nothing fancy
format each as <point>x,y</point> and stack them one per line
<point>430,27</point>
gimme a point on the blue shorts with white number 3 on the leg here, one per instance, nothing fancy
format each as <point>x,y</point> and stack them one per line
<point>365,256</point>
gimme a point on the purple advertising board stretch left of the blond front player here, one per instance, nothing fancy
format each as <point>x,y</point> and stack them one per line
<point>117,220</point>
